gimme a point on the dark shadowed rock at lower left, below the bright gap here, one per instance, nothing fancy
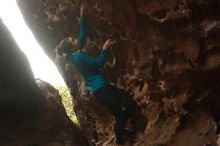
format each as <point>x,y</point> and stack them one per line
<point>30,116</point>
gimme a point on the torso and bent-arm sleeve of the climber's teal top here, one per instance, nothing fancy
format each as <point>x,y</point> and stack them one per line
<point>90,69</point>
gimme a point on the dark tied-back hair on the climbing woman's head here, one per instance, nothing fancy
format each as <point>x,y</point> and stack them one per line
<point>64,47</point>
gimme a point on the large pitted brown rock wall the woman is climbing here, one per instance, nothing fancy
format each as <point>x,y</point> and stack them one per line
<point>167,55</point>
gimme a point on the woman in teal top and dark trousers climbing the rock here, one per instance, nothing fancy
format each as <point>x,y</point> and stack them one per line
<point>118,102</point>
